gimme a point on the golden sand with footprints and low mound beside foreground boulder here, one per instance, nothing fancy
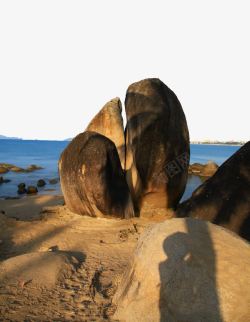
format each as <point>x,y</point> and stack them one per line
<point>59,266</point>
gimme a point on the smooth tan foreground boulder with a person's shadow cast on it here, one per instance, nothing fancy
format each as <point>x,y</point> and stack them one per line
<point>186,270</point>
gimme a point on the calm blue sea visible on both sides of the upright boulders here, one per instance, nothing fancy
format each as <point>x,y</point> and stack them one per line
<point>22,153</point>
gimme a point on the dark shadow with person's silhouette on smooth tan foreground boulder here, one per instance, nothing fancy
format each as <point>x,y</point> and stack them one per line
<point>188,289</point>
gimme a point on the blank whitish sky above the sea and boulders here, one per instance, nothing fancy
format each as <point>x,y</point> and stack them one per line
<point>61,61</point>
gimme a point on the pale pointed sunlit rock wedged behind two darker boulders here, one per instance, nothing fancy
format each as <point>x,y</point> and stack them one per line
<point>109,123</point>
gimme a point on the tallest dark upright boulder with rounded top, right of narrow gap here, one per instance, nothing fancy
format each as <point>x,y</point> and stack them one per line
<point>157,145</point>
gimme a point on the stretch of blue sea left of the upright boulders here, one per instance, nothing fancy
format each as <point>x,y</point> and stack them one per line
<point>23,153</point>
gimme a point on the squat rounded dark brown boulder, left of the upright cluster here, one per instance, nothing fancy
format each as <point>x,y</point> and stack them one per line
<point>92,179</point>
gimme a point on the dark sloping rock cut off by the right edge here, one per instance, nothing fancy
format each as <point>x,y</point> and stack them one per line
<point>224,199</point>
